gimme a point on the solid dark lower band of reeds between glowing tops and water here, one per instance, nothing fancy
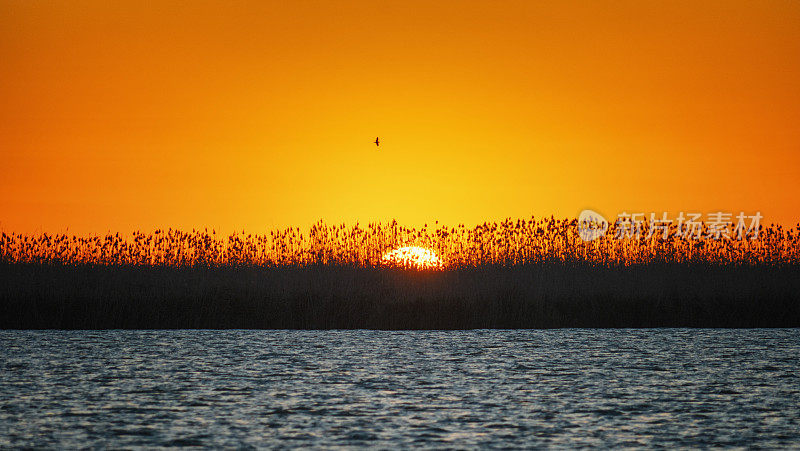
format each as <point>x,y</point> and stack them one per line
<point>548,295</point>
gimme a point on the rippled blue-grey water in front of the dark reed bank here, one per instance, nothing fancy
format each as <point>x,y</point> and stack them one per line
<point>673,387</point>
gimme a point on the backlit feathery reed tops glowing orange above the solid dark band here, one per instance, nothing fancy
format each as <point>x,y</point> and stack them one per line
<point>505,243</point>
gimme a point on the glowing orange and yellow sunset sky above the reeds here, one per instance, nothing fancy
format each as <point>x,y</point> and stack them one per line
<point>137,115</point>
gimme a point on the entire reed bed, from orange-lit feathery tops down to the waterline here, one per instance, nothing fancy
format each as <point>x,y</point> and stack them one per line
<point>511,274</point>
